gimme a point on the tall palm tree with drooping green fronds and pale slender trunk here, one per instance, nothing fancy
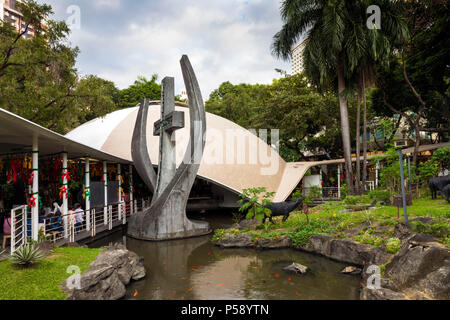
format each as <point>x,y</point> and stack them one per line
<point>338,47</point>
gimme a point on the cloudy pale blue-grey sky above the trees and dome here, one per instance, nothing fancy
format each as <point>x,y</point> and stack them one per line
<point>226,40</point>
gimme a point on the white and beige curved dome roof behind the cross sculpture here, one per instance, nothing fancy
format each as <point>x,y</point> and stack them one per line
<point>255,165</point>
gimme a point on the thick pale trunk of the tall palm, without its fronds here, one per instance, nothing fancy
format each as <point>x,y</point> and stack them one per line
<point>345,128</point>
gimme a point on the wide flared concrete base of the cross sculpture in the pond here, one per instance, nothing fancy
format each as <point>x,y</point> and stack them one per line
<point>146,227</point>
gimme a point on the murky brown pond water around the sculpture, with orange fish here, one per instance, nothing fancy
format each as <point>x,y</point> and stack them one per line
<point>194,269</point>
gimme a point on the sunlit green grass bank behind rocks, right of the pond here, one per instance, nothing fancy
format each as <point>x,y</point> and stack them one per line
<point>374,227</point>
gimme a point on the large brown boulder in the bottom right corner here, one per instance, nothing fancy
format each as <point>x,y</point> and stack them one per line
<point>422,267</point>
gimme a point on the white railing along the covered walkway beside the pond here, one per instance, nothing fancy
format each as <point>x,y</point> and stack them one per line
<point>74,226</point>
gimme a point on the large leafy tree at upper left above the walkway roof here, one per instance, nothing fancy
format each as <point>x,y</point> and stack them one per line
<point>38,78</point>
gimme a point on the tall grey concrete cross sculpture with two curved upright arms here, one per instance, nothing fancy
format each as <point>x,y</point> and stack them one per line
<point>166,219</point>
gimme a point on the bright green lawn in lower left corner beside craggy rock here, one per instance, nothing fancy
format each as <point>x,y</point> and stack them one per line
<point>41,282</point>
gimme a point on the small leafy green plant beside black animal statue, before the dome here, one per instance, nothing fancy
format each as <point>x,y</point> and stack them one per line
<point>250,203</point>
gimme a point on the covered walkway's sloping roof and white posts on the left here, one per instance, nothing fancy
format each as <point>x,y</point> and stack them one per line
<point>20,136</point>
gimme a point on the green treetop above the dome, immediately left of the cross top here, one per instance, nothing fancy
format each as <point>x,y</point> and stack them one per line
<point>142,88</point>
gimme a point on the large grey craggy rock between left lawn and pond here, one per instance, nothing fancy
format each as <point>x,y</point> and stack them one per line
<point>108,275</point>
